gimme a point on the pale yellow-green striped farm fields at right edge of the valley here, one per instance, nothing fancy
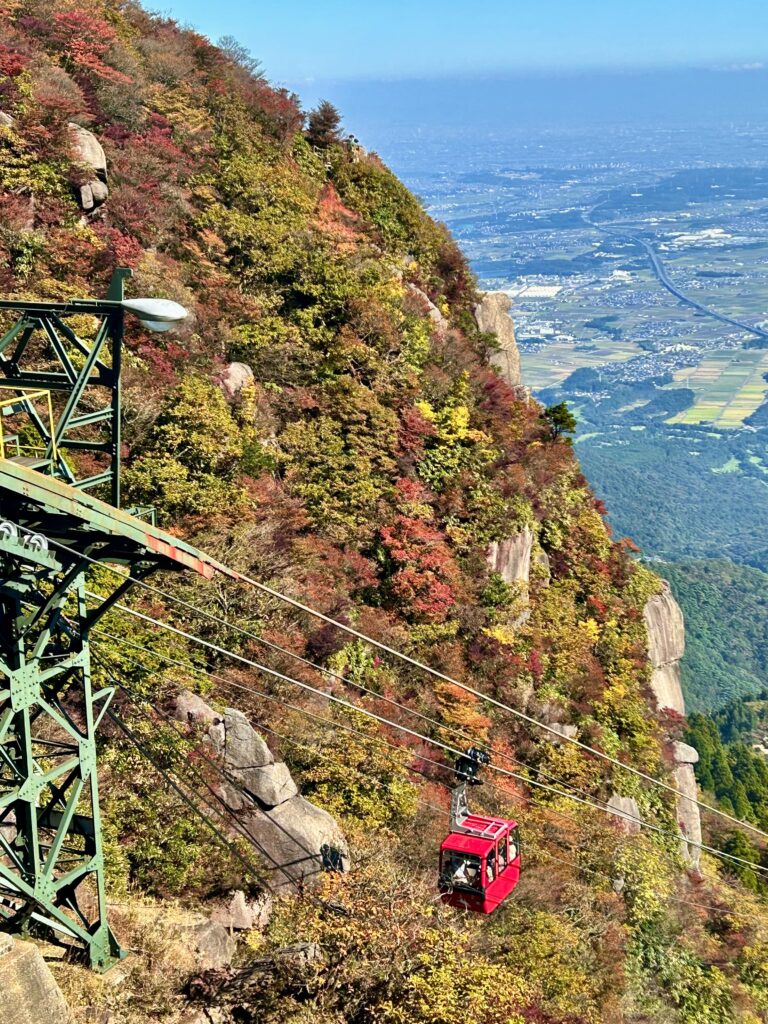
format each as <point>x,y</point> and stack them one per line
<point>729,387</point>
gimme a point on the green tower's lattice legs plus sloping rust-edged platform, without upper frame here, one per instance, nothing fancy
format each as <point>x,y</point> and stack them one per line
<point>52,861</point>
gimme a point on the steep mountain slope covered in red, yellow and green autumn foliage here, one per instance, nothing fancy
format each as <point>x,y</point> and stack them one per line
<point>329,421</point>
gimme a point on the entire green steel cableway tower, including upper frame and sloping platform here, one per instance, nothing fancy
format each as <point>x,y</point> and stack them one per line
<point>53,533</point>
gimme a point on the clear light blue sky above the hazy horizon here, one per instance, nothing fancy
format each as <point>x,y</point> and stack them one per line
<point>301,41</point>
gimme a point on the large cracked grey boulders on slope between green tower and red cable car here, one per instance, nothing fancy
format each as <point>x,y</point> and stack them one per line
<point>296,839</point>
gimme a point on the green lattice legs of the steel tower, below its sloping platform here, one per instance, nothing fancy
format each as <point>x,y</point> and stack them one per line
<point>52,872</point>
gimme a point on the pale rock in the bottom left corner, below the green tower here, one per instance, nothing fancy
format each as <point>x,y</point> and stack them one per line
<point>30,994</point>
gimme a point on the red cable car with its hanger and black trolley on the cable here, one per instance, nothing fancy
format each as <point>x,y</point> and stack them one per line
<point>481,859</point>
